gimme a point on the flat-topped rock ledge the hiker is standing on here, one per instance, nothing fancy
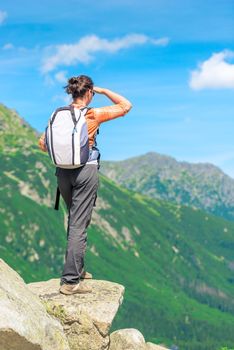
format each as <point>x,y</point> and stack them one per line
<point>86,318</point>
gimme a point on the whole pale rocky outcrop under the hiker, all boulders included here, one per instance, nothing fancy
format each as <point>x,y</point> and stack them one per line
<point>36,316</point>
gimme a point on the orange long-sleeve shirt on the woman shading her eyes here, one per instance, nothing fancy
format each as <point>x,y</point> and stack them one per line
<point>96,116</point>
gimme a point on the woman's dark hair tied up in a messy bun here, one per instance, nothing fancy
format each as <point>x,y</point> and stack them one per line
<point>77,86</point>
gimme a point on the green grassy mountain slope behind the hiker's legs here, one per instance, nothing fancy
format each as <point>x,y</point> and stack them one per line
<point>176,262</point>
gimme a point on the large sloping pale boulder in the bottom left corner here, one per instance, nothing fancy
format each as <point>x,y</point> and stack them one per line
<point>24,322</point>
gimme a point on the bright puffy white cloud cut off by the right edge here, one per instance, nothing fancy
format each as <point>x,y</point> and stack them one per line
<point>214,73</point>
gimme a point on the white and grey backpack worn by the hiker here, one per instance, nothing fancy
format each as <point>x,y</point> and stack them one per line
<point>67,137</point>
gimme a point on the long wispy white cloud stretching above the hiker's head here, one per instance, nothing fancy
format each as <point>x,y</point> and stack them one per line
<point>83,51</point>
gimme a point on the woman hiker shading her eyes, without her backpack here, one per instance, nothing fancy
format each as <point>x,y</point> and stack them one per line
<point>79,186</point>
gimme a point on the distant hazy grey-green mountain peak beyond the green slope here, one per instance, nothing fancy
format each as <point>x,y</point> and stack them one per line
<point>200,185</point>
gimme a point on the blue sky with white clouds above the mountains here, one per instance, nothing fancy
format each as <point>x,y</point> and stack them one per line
<point>174,60</point>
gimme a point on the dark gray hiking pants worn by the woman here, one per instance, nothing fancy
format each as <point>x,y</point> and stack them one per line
<point>78,188</point>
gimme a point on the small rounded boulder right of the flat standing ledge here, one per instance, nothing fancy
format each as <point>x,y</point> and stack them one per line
<point>127,339</point>
